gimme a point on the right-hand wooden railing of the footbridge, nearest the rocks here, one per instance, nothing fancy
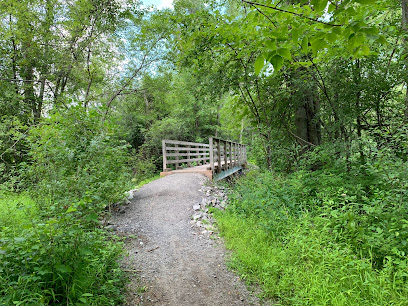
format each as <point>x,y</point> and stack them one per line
<point>226,155</point>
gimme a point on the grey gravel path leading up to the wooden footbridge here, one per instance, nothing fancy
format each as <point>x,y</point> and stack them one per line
<point>171,262</point>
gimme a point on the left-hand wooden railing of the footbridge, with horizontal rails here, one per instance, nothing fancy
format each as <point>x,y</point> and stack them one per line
<point>179,153</point>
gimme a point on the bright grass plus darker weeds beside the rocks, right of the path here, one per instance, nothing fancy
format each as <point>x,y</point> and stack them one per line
<point>299,257</point>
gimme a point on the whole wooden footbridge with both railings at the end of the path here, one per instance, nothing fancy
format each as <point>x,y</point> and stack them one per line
<point>216,160</point>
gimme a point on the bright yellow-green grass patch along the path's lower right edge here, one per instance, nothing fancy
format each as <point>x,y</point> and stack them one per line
<point>306,266</point>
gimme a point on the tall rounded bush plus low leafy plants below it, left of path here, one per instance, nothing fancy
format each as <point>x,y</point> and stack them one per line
<point>55,252</point>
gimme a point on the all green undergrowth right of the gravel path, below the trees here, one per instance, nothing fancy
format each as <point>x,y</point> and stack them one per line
<point>325,237</point>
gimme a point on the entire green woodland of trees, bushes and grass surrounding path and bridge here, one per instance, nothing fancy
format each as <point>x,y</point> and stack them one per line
<point>317,89</point>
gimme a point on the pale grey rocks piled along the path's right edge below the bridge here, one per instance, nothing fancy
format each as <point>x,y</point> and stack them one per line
<point>215,197</point>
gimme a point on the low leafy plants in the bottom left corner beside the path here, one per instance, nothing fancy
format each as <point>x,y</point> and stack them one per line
<point>55,260</point>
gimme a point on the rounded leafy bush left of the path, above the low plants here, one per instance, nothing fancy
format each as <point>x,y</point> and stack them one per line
<point>78,158</point>
